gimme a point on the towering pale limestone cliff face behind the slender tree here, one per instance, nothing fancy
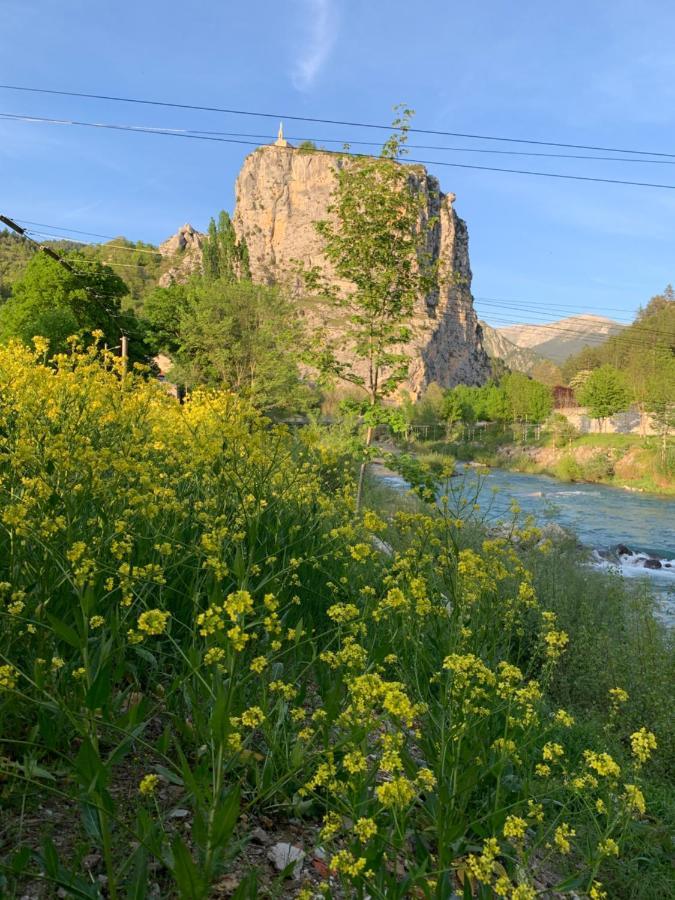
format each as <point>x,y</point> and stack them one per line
<point>281,193</point>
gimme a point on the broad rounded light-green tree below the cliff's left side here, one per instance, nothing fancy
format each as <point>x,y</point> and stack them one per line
<point>243,336</point>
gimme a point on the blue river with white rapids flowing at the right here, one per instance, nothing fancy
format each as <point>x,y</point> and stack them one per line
<point>607,520</point>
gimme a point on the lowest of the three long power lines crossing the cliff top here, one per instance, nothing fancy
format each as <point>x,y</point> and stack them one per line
<point>425,162</point>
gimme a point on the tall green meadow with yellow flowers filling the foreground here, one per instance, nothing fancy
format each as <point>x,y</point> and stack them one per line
<point>201,636</point>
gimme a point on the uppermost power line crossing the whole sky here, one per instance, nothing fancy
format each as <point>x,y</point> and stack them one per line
<point>317,120</point>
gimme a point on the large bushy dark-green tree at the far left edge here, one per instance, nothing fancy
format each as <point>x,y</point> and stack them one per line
<point>55,302</point>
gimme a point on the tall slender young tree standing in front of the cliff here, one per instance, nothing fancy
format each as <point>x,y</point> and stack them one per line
<point>376,241</point>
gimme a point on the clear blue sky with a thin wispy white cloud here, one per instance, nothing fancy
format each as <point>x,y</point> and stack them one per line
<point>590,72</point>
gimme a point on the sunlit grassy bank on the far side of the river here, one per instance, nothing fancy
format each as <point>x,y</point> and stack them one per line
<point>624,461</point>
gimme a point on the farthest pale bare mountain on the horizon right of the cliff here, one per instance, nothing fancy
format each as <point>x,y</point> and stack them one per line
<point>559,340</point>
